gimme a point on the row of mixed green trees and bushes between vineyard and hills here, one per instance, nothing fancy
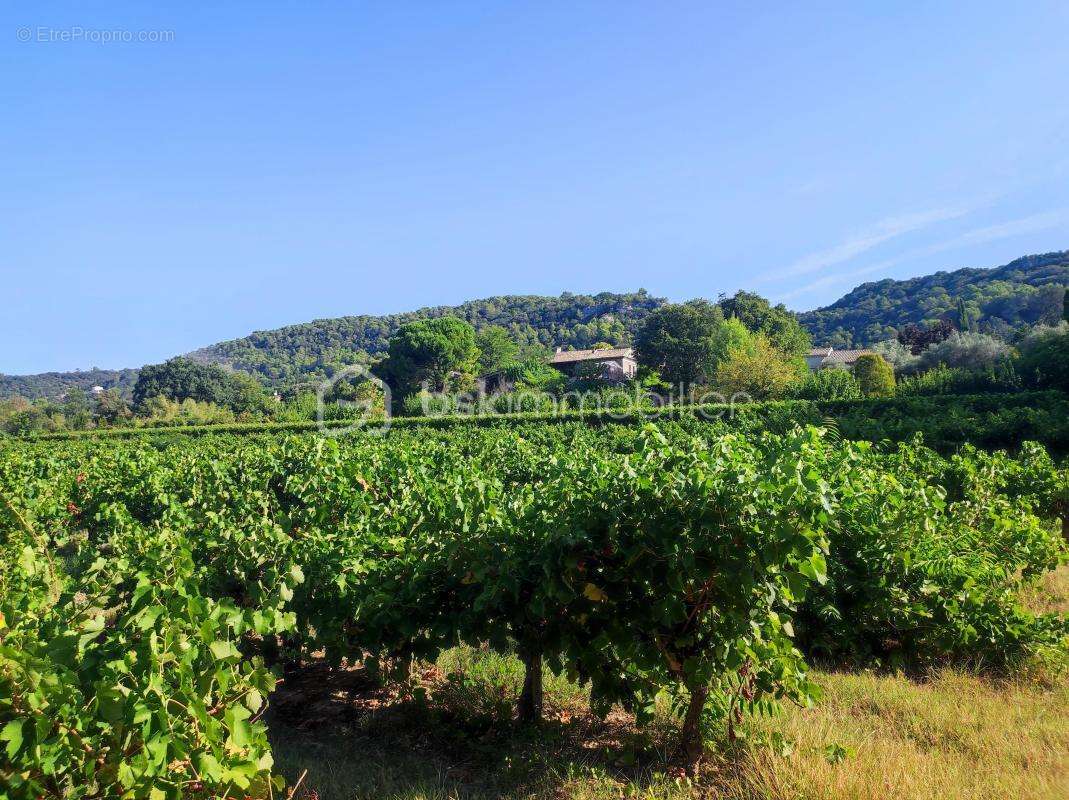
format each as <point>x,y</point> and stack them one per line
<point>740,347</point>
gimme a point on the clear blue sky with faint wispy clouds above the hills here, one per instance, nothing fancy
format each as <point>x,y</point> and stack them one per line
<point>276,163</point>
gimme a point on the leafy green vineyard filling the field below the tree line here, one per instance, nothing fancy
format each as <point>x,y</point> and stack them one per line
<point>154,590</point>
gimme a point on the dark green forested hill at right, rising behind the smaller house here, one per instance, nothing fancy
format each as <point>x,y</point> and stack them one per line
<point>1028,291</point>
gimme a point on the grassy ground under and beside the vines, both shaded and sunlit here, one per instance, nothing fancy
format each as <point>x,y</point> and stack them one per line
<point>952,735</point>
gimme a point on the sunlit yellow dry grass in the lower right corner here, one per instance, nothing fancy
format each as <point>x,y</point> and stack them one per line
<point>952,736</point>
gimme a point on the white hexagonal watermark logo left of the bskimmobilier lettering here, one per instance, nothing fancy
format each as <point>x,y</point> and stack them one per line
<point>338,412</point>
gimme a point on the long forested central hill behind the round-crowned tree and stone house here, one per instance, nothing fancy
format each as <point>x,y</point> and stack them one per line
<point>313,349</point>
